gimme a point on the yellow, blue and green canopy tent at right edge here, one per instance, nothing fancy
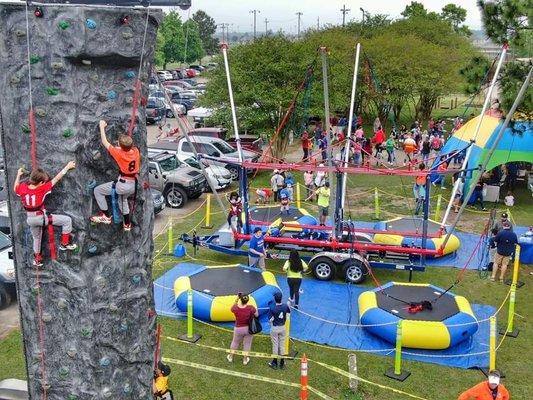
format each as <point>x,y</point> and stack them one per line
<point>515,145</point>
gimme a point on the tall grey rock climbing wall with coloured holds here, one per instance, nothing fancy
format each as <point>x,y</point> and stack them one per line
<point>87,317</point>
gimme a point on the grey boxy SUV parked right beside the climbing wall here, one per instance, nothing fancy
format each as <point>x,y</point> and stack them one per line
<point>176,180</point>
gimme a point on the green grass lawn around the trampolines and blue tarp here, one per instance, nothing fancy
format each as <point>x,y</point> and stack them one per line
<point>427,380</point>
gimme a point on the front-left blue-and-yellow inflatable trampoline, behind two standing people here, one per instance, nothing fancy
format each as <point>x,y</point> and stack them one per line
<point>214,290</point>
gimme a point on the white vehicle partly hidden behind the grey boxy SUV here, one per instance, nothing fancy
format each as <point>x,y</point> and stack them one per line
<point>218,176</point>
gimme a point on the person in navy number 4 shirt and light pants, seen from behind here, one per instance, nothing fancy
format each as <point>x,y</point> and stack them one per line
<point>277,318</point>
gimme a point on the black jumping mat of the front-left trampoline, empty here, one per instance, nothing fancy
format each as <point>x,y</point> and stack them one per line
<point>227,281</point>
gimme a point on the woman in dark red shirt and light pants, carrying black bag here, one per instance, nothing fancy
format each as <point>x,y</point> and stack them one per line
<point>243,313</point>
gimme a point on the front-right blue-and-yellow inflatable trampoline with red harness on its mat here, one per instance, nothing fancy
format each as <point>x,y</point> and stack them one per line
<point>449,322</point>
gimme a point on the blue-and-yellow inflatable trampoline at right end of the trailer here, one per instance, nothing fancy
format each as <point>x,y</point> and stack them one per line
<point>413,236</point>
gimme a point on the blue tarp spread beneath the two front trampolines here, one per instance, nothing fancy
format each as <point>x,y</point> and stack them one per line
<point>337,303</point>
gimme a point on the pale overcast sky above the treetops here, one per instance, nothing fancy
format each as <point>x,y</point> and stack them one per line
<point>282,13</point>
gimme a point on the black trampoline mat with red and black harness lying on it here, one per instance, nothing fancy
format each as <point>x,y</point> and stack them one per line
<point>443,308</point>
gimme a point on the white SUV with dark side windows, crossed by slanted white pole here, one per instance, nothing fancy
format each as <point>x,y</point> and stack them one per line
<point>218,152</point>
